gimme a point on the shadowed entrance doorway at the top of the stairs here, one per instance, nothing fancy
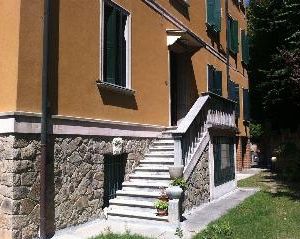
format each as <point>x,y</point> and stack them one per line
<point>183,88</point>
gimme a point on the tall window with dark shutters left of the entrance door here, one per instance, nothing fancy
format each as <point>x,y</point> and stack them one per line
<point>115,45</point>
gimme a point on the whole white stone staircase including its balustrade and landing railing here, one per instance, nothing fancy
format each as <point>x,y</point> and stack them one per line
<point>181,145</point>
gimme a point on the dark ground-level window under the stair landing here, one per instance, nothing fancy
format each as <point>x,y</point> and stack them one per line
<point>224,169</point>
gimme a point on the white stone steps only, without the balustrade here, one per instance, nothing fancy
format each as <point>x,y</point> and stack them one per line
<point>137,196</point>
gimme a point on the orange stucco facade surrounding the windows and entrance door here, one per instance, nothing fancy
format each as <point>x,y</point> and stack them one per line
<point>76,55</point>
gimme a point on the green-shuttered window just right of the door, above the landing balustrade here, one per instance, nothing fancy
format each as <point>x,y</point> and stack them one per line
<point>214,80</point>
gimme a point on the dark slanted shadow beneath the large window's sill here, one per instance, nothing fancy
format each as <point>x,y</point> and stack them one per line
<point>114,98</point>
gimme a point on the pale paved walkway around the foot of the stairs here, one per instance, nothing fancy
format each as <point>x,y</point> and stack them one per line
<point>196,220</point>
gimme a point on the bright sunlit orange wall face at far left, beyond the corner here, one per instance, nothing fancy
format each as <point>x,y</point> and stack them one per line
<point>9,47</point>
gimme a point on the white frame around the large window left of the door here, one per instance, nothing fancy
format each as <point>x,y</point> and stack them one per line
<point>128,45</point>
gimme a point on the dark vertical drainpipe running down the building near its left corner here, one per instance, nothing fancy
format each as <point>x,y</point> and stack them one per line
<point>44,121</point>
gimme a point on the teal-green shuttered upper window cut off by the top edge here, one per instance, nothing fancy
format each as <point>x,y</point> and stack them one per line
<point>213,15</point>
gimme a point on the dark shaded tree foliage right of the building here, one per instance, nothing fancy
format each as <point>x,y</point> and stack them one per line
<point>274,69</point>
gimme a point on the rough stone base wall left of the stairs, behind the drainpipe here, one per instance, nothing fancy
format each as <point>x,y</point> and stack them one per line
<point>75,176</point>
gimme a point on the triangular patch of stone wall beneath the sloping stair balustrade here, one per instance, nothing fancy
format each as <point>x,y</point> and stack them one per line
<point>197,191</point>
